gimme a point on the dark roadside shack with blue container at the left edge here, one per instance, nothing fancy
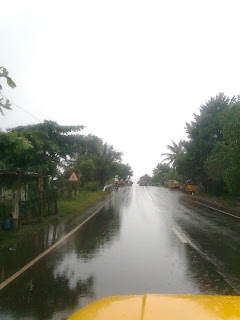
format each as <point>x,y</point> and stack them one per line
<point>19,196</point>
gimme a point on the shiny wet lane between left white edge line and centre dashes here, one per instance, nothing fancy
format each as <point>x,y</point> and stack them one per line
<point>127,248</point>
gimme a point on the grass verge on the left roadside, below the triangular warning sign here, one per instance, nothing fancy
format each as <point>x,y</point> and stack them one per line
<point>66,208</point>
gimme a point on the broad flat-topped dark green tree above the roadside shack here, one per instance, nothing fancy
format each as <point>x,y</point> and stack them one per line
<point>51,144</point>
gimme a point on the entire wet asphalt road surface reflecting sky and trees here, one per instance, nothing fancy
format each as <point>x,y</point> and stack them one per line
<point>145,240</point>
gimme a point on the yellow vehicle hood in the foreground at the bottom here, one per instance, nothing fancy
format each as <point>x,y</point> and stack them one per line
<point>162,307</point>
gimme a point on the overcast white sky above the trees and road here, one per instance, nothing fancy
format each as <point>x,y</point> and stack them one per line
<point>133,72</point>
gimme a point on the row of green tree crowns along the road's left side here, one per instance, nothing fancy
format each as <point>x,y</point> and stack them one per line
<point>56,150</point>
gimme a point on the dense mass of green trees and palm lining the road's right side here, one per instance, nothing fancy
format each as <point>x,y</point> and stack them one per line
<point>211,154</point>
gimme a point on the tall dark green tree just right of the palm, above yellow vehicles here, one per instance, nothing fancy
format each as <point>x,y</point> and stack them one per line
<point>203,134</point>
